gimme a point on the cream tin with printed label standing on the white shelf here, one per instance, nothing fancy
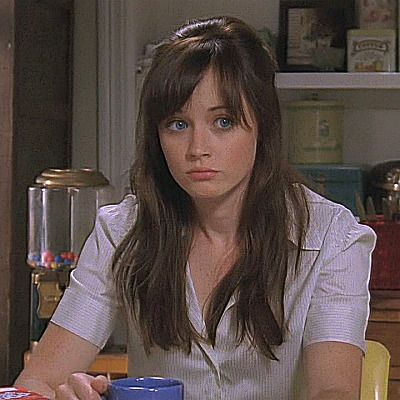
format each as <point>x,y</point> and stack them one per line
<point>371,50</point>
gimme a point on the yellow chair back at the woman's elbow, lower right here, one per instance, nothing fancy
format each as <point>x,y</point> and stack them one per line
<point>375,372</point>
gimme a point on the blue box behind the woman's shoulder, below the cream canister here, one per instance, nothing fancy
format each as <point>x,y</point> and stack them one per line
<point>337,182</point>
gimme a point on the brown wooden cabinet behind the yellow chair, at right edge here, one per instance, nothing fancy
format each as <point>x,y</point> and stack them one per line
<point>384,326</point>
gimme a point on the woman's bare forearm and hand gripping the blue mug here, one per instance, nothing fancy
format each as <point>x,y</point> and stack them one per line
<point>56,360</point>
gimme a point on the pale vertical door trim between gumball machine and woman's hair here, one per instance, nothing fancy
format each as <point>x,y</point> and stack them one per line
<point>116,95</point>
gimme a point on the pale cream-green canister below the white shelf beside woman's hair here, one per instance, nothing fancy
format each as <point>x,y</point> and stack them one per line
<point>315,132</point>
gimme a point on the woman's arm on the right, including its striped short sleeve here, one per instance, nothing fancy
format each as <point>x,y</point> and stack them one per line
<point>334,336</point>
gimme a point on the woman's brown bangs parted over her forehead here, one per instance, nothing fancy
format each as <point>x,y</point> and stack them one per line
<point>172,83</point>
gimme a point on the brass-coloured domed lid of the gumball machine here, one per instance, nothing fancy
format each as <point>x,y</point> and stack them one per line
<point>71,178</point>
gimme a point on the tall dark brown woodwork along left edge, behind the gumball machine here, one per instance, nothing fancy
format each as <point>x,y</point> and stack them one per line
<point>35,134</point>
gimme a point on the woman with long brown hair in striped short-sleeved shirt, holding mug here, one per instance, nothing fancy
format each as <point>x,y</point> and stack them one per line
<point>234,279</point>
